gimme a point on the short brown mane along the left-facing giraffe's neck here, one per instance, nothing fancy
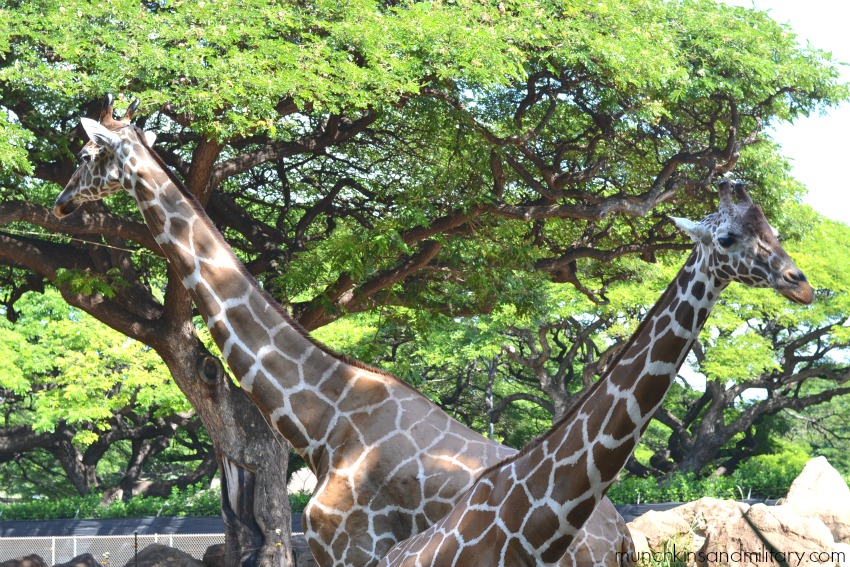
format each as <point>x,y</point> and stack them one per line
<point>196,205</point>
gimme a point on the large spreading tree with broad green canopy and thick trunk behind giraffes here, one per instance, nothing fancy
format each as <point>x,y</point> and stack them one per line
<point>435,156</point>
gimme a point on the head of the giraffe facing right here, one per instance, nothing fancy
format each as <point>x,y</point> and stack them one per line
<point>743,247</point>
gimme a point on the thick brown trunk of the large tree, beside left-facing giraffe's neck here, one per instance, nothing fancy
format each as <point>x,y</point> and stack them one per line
<point>252,457</point>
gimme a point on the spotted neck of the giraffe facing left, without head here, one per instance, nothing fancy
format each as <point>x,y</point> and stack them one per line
<point>297,384</point>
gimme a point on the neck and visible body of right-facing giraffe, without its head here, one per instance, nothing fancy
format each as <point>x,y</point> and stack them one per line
<point>538,500</point>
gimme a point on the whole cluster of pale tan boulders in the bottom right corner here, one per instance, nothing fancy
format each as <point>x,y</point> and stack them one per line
<point>810,527</point>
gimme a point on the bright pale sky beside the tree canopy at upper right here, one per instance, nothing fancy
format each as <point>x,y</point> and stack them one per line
<point>818,145</point>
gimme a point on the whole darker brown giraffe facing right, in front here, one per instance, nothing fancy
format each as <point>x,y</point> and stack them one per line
<point>528,509</point>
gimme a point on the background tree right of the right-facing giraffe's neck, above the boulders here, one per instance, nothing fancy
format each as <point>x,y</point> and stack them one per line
<point>795,359</point>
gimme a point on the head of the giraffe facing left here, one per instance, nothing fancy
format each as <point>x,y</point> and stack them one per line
<point>107,159</point>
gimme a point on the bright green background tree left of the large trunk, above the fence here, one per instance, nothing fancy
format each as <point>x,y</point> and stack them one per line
<point>92,400</point>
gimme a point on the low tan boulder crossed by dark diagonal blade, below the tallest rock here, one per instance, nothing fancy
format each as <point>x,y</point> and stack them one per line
<point>764,534</point>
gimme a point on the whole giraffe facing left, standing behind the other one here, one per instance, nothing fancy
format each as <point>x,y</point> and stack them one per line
<point>389,462</point>
